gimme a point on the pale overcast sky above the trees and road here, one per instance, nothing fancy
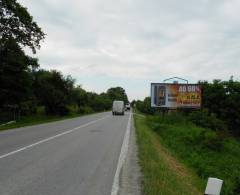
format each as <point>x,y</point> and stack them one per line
<point>131,43</point>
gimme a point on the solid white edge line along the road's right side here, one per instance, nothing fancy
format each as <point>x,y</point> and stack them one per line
<point>122,157</point>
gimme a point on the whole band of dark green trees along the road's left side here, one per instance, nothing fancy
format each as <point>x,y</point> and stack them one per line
<point>25,88</point>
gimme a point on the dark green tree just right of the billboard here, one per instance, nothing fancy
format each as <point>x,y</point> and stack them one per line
<point>222,99</point>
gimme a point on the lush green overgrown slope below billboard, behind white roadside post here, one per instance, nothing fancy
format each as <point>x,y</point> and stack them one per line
<point>206,152</point>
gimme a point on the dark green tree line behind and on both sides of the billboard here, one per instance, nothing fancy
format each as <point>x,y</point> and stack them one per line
<point>220,109</point>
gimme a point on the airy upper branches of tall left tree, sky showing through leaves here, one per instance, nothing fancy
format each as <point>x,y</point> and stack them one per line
<point>16,23</point>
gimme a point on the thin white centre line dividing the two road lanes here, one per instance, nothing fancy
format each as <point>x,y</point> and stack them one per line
<point>51,138</point>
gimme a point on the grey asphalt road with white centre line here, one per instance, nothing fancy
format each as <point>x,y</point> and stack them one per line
<point>75,156</point>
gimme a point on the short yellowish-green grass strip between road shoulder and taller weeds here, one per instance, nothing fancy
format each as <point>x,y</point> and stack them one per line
<point>162,173</point>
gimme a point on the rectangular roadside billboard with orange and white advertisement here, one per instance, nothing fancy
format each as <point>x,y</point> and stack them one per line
<point>168,95</point>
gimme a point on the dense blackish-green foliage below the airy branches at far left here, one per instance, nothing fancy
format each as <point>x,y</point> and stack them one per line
<point>15,74</point>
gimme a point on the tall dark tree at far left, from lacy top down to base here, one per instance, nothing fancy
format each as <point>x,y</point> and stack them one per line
<point>17,29</point>
